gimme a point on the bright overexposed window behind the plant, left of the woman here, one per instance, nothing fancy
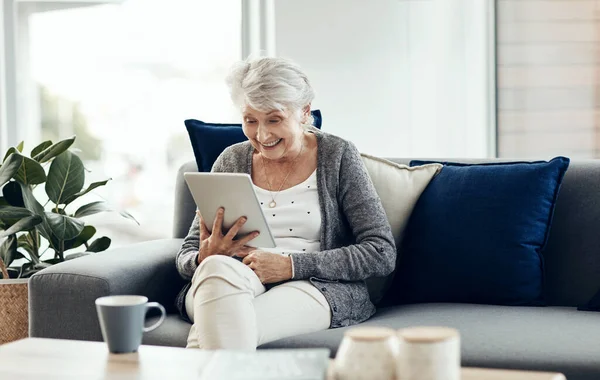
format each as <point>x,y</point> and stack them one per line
<point>123,78</point>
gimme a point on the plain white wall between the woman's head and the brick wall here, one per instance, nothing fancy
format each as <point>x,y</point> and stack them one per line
<point>398,78</point>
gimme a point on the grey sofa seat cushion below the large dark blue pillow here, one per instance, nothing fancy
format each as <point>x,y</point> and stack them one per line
<point>531,338</point>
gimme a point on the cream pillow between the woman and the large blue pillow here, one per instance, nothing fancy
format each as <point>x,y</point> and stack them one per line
<point>399,187</point>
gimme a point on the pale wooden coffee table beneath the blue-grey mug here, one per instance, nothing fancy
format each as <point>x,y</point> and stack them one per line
<point>49,359</point>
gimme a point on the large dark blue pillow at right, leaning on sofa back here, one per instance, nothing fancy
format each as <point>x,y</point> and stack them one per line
<point>477,233</point>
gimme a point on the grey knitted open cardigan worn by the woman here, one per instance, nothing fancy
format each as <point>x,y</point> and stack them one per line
<point>356,238</point>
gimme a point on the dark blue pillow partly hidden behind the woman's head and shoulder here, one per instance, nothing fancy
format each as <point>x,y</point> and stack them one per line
<point>210,139</point>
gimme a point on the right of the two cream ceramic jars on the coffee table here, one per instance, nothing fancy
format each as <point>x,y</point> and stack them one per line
<point>429,353</point>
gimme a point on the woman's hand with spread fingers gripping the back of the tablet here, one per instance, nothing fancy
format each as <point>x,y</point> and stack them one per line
<point>217,243</point>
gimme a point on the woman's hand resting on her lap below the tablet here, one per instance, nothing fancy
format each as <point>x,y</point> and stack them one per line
<point>269,267</point>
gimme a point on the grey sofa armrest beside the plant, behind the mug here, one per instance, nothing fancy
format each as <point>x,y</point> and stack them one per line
<point>62,297</point>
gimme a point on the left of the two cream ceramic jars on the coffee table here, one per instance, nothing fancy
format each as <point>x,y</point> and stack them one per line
<point>367,353</point>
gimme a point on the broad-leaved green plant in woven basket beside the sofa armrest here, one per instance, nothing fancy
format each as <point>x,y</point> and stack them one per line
<point>39,222</point>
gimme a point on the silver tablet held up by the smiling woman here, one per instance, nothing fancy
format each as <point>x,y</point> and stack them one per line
<point>235,193</point>
